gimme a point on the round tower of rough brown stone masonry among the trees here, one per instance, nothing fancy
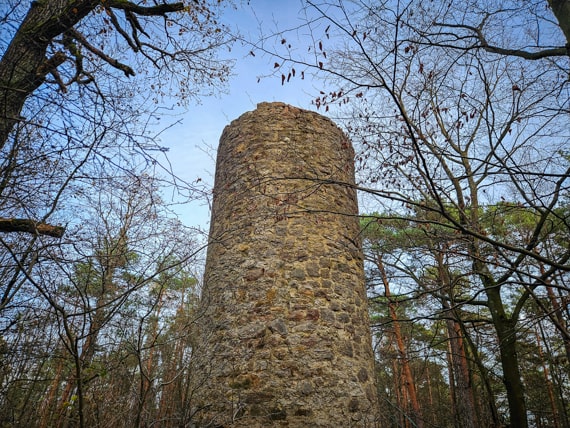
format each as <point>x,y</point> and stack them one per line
<point>285,337</point>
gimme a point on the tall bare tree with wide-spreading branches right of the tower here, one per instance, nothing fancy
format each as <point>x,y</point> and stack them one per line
<point>456,109</point>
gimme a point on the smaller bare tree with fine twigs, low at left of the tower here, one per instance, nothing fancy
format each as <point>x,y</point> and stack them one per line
<point>108,297</point>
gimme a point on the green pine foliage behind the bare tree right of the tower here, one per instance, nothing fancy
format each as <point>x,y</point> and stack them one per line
<point>426,257</point>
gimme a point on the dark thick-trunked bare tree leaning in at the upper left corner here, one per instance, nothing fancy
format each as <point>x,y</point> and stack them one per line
<point>79,83</point>
